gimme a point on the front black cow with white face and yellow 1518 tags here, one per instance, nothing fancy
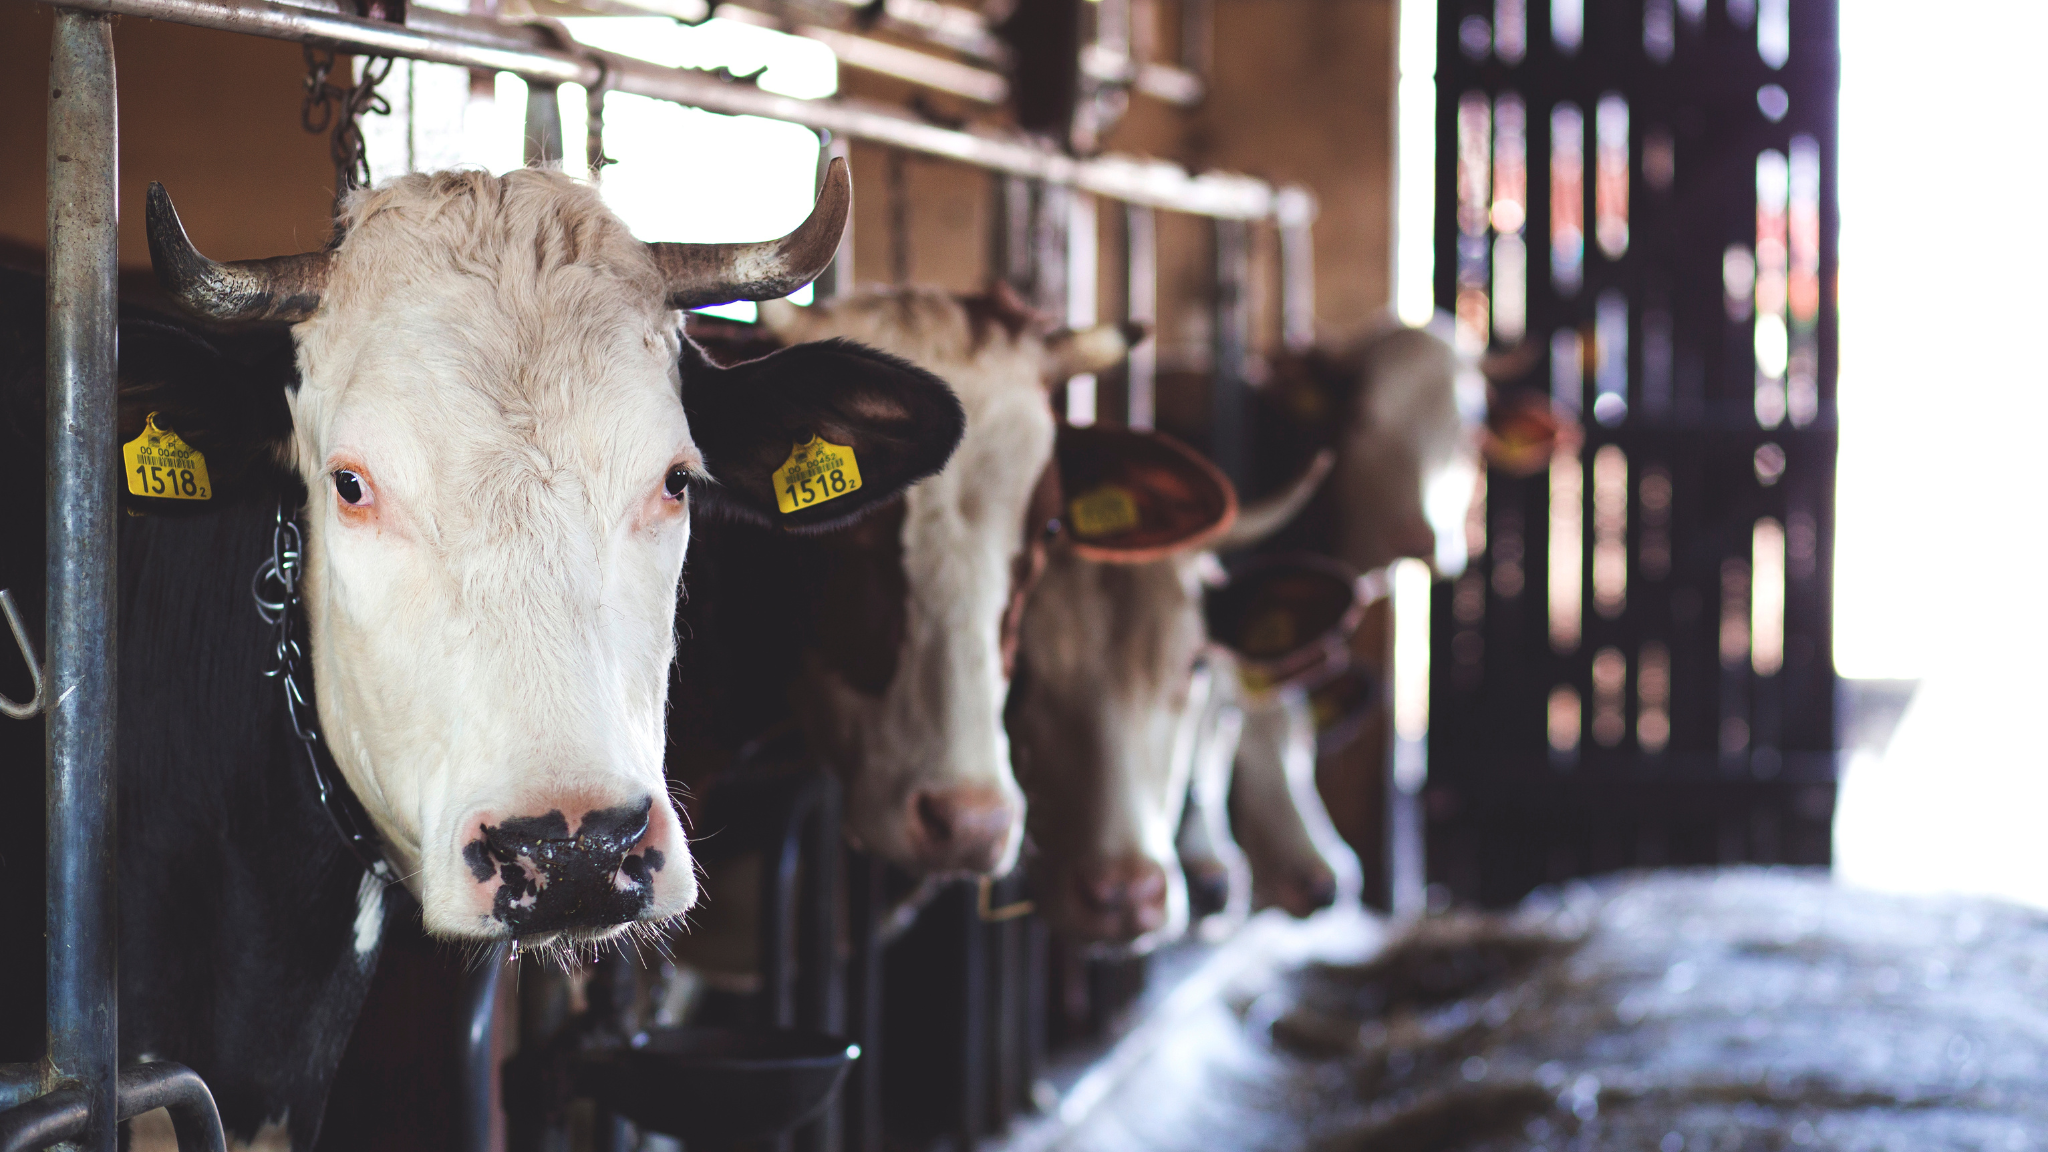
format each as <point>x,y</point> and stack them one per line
<point>495,438</point>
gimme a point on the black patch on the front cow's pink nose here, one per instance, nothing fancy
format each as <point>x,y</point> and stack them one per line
<point>554,880</point>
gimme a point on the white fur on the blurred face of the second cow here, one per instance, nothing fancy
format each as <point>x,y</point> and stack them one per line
<point>941,721</point>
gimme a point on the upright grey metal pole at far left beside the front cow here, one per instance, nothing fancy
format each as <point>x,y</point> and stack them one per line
<point>81,634</point>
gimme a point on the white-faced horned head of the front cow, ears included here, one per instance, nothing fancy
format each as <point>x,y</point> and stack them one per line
<point>501,438</point>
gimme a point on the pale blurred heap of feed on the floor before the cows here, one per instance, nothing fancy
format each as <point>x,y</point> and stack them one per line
<point>1676,1012</point>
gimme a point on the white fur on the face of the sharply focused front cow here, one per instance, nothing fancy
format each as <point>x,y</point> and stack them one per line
<point>497,356</point>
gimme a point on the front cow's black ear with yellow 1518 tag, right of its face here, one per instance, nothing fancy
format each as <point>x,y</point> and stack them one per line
<point>814,436</point>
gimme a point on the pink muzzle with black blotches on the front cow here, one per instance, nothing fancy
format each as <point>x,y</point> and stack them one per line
<point>601,870</point>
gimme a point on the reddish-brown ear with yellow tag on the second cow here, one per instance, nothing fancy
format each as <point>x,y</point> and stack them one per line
<point>1138,497</point>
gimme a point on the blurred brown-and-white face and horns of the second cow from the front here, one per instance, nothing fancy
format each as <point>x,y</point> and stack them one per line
<point>910,669</point>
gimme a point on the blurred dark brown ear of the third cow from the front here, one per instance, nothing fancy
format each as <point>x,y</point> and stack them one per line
<point>1289,618</point>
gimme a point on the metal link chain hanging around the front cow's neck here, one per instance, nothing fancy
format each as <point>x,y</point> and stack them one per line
<point>278,602</point>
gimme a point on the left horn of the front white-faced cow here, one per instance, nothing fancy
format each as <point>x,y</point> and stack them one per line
<point>282,288</point>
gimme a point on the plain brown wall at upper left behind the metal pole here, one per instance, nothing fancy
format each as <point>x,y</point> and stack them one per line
<point>212,116</point>
